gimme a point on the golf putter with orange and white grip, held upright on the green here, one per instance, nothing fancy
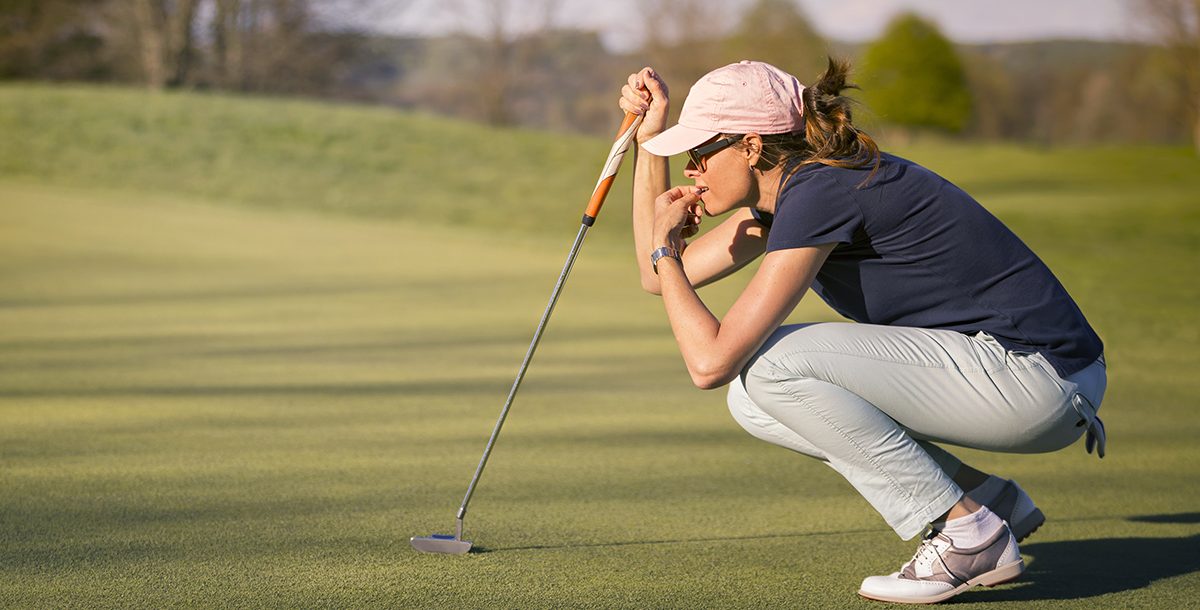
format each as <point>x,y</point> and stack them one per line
<point>454,545</point>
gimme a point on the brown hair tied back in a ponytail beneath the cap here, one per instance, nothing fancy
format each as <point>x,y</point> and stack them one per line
<point>830,137</point>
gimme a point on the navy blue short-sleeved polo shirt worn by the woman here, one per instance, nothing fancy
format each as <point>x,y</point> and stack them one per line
<point>914,250</point>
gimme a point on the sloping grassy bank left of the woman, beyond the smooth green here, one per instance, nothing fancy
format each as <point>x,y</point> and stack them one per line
<point>296,156</point>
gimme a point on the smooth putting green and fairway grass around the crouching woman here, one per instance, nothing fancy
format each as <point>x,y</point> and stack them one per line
<point>215,399</point>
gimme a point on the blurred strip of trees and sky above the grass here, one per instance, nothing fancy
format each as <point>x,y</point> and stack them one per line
<point>1070,73</point>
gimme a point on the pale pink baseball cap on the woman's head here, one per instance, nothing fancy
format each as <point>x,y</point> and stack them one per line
<point>743,98</point>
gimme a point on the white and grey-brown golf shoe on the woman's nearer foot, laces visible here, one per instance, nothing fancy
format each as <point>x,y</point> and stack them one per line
<point>940,571</point>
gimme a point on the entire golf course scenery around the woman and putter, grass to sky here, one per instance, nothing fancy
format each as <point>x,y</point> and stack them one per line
<point>268,268</point>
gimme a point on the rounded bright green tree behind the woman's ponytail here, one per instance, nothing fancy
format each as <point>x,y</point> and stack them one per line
<point>913,77</point>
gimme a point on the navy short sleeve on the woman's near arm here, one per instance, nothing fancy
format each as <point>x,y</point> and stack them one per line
<point>814,210</point>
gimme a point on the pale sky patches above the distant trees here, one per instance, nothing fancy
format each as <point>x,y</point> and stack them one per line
<point>855,21</point>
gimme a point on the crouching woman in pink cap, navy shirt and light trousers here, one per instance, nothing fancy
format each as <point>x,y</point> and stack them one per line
<point>962,336</point>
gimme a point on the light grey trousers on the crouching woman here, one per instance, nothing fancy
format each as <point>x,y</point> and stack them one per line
<point>871,400</point>
